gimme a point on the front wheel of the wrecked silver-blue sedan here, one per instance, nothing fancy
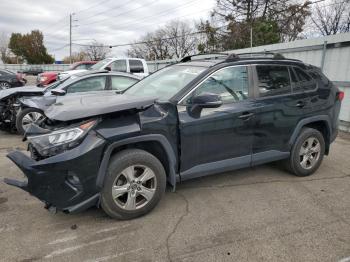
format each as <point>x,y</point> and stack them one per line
<point>26,117</point>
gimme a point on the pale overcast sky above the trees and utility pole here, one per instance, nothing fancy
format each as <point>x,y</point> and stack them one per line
<point>110,22</point>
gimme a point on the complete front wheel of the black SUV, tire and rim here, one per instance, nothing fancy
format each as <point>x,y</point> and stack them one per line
<point>134,184</point>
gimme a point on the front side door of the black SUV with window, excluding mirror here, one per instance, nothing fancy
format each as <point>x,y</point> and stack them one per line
<point>217,139</point>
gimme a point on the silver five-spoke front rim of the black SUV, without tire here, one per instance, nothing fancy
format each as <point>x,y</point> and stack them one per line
<point>134,187</point>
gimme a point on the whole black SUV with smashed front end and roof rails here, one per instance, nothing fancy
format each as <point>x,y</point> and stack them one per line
<point>191,119</point>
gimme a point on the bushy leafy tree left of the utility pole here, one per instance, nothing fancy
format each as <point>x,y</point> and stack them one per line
<point>30,47</point>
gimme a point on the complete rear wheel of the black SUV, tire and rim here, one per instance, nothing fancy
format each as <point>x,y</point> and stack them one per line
<point>307,153</point>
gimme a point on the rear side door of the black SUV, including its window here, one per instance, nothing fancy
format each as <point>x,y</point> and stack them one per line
<point>278,111</point>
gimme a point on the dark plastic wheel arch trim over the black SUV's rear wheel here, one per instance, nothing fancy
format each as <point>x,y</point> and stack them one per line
<point>321,123</point>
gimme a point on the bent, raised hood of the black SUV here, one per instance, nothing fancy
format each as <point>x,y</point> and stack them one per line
<point>94,105</point>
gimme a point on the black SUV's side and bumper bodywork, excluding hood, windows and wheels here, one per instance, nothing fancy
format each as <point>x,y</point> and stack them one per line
<point>191,144</point>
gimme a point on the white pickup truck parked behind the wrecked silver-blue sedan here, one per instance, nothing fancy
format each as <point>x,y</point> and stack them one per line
<point>134,66</point>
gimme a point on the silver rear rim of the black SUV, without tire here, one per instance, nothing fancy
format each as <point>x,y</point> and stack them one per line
<point>310,152</point>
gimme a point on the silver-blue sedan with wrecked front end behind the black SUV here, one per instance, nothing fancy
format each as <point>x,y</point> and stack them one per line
<point>19,107</point>
